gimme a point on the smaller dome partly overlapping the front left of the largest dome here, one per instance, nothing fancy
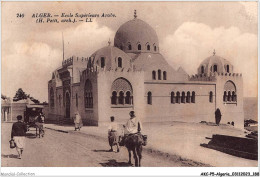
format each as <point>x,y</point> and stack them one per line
<point>111,57</point>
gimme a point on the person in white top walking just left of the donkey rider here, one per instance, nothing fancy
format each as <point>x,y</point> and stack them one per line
<point>112,134</point>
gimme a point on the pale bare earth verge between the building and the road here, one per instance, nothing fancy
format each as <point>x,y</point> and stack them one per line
<point>180,140</point>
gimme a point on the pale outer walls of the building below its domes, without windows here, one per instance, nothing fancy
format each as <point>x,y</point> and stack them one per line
<point>161,108</point>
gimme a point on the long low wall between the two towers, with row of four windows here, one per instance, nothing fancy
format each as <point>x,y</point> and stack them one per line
<point>162,109</point>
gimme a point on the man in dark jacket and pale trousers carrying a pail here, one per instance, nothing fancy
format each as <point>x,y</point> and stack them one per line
<point>18,135</point>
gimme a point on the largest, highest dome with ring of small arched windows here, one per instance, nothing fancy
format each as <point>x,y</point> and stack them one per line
<point>136,36</point>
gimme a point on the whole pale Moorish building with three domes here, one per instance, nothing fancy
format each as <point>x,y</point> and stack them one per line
<point>132,74</point>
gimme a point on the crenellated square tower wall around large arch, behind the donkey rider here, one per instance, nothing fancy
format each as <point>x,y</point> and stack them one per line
<point>121,113</point>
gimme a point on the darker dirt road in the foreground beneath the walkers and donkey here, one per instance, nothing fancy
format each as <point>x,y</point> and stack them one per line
<point>77,149</point>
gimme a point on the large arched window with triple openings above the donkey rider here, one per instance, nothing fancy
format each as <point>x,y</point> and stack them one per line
<point>121,92</point>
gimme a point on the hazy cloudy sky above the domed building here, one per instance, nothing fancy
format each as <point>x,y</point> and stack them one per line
<point>188,33</point>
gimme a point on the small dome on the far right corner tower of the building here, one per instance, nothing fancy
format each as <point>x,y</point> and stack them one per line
<point>215,64</point>
